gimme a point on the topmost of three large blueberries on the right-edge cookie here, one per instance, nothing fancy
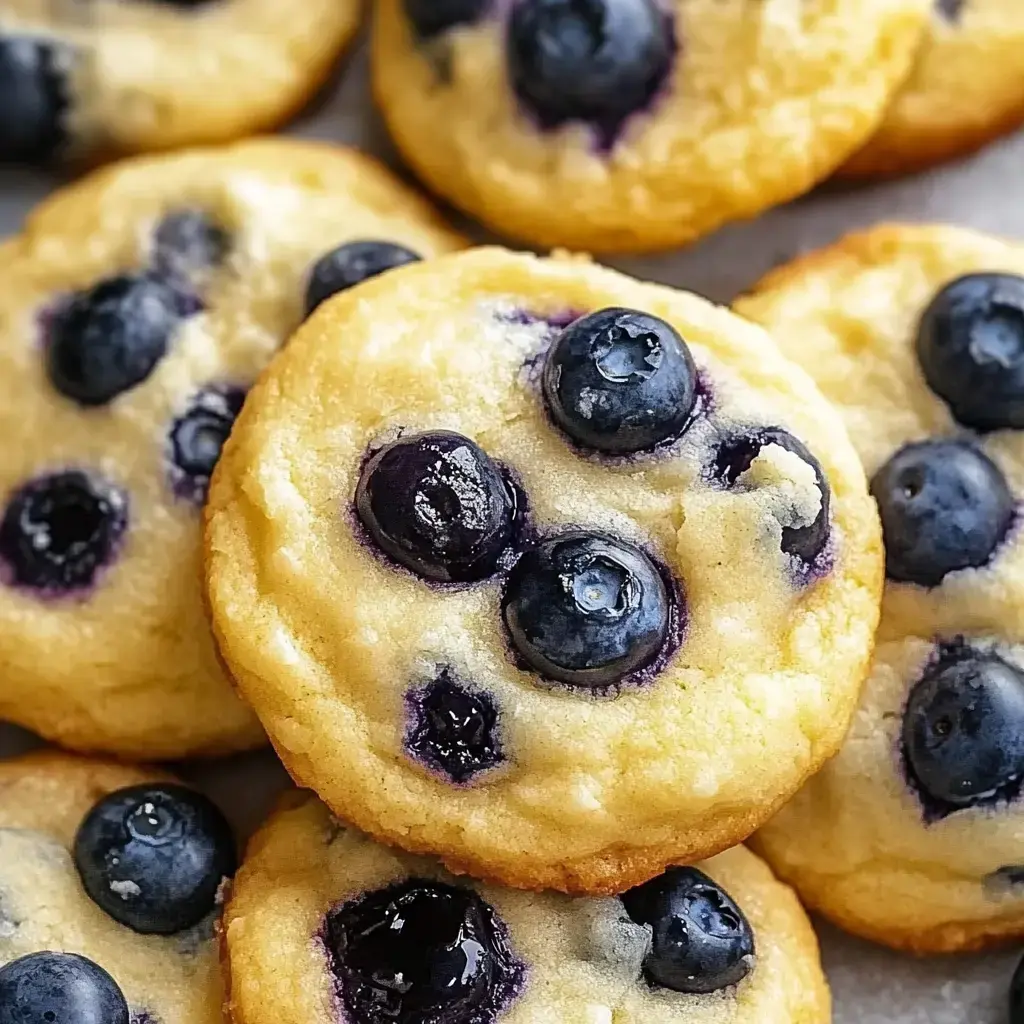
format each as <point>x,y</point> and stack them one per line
<point>971,350</point>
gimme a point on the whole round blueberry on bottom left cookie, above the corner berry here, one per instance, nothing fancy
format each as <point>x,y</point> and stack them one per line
<point>154,857</point>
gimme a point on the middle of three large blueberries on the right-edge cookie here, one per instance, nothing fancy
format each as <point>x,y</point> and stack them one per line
<point>945,506</point>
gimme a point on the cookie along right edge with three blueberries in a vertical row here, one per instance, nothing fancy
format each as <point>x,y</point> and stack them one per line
<point>917,334</point>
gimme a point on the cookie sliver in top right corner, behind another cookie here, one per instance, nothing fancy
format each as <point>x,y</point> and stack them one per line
<point>967,89</point>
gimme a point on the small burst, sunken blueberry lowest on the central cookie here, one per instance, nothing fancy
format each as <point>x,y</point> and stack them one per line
<point>454,730</point>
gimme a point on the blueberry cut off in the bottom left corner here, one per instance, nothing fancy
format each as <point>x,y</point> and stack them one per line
<point>60,989</point>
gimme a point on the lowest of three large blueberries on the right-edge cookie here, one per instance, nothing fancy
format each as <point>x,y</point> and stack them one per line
<point>963,731</point>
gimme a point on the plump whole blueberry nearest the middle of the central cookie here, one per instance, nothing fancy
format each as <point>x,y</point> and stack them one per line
<point>586,610</point>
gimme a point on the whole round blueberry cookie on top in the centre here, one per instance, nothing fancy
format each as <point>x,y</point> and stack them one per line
<point>562,577</point>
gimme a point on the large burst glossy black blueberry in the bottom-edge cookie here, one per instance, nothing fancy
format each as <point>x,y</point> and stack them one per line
<point>421,953</point>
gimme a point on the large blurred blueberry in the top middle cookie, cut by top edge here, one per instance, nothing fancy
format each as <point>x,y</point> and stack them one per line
<point>591,61</point>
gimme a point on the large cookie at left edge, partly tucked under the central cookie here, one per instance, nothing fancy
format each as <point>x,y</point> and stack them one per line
<point>138,309</point>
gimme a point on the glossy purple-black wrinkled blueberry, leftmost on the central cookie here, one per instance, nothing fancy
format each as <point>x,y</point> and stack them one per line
<point>438,504</point>
